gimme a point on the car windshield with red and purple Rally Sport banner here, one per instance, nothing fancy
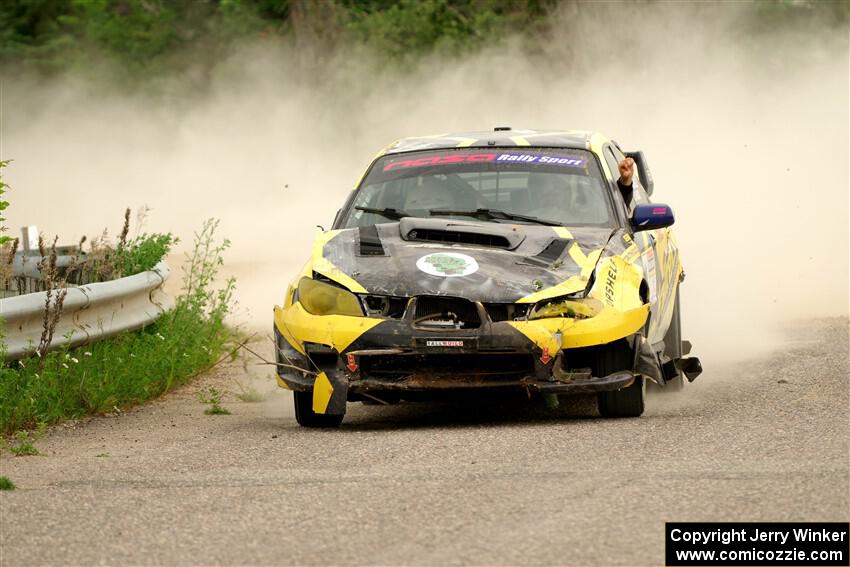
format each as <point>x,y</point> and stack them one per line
<point>552,186</point>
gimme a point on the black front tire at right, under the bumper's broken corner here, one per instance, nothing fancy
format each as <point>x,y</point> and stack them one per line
<point>625,402</point>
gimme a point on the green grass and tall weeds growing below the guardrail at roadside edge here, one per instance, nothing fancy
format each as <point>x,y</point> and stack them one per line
<point>131,367</point>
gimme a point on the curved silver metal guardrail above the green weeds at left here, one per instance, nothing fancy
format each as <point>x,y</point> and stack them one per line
<point>90,312</point>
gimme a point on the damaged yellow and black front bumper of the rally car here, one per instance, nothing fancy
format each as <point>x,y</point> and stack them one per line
<point>342,358</point>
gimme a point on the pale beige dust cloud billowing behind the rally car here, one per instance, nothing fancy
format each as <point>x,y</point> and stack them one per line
<point>746,133</point>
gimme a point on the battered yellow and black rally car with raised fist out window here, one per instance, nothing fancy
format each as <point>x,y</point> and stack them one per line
<point>489,262</point>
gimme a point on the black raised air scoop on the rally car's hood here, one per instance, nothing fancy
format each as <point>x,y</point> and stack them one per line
<point>492,235</point>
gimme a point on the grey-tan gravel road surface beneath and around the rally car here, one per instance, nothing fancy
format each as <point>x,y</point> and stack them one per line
<point>432,484</point>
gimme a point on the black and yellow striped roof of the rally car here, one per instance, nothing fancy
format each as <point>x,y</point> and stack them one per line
<point>498,137</point>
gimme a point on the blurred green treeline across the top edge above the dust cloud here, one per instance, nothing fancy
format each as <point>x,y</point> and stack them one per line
<point>146,38</point>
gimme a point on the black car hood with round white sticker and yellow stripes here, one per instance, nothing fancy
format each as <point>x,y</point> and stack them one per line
<point>431,257</point>
